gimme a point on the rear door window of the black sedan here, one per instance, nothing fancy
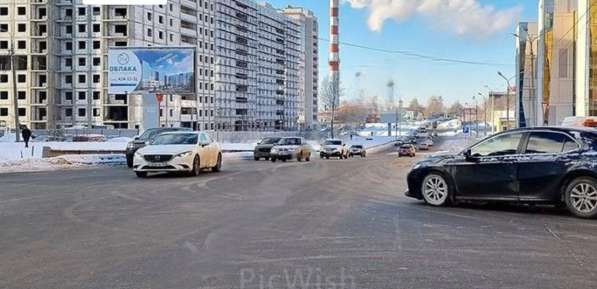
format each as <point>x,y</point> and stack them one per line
<point>549,143</point>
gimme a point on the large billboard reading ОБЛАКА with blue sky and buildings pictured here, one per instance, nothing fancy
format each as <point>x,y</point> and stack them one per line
<point>151,70</point>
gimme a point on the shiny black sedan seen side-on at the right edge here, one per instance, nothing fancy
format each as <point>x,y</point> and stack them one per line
<point>538,165</point>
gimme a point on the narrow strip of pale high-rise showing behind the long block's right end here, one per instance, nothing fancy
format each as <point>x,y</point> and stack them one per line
<point>309,99</point>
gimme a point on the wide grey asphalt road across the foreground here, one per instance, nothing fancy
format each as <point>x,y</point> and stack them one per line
<point>323,224</point>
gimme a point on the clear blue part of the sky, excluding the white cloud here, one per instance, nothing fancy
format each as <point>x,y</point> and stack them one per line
<point>416,78</point>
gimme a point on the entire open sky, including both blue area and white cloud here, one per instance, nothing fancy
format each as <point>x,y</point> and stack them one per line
<point>471,30</point>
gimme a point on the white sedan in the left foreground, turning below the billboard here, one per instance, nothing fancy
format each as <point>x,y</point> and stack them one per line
<point>178,152</point>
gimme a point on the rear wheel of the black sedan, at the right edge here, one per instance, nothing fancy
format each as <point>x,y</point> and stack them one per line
<point>581,197</point>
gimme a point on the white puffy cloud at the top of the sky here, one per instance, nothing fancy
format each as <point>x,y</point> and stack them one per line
<point>462,17</point>
